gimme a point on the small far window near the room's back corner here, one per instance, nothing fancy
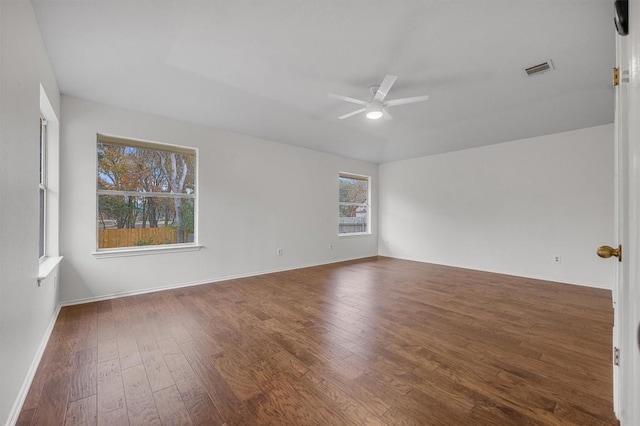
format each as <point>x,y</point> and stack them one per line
<point>353,207</point>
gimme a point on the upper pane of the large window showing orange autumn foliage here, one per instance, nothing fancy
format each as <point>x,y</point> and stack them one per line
<point>130,168</point>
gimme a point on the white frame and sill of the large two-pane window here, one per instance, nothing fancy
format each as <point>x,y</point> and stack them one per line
<point>147,249</point>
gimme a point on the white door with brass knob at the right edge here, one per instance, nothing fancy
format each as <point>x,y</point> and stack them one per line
<point>626,291</point>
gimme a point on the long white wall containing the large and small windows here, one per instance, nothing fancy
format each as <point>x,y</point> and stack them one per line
<point>254,196</point>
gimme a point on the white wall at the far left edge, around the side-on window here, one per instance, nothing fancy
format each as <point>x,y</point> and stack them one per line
<point>26,310</point>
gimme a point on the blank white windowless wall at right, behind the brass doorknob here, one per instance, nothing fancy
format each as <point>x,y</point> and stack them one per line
<point>507,208</point>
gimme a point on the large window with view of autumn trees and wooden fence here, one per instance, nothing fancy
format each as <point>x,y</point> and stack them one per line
<point>146,194</point>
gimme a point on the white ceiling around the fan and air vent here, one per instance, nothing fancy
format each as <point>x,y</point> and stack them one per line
<point>265,68</point>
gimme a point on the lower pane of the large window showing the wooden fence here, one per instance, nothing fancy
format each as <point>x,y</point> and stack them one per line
<point>140,221</point>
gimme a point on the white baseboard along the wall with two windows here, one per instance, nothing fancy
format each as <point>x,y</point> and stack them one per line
<point>200,282</point>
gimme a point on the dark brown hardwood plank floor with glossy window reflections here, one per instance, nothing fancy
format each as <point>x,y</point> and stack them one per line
<point>371,342</point>
